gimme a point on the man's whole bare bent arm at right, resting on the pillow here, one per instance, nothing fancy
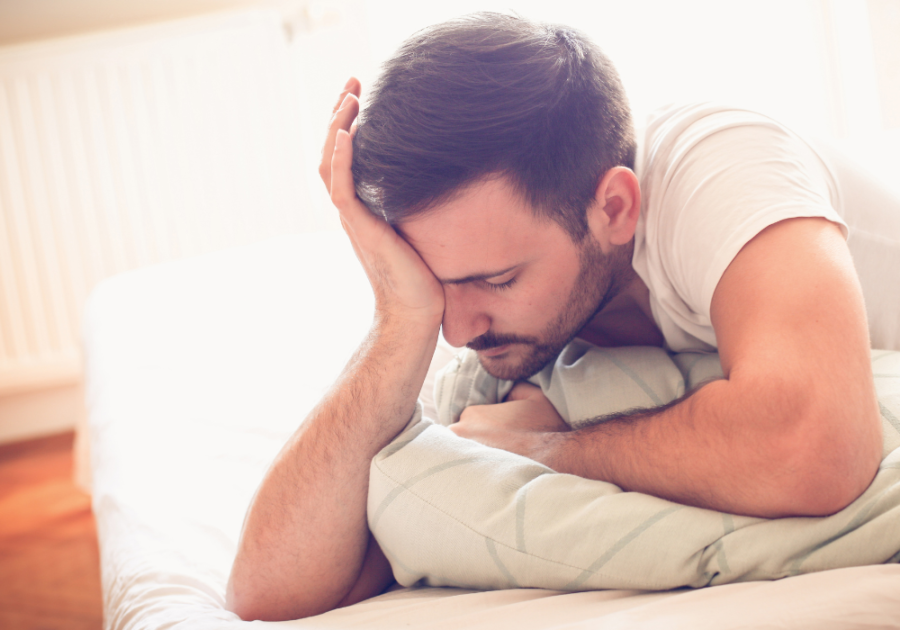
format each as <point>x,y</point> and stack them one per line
<point>793,429</point>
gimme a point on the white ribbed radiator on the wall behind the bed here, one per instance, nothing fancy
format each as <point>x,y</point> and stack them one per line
<point>128,148</point>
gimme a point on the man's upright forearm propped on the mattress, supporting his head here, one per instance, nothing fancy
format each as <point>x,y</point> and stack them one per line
<point>305,535</point>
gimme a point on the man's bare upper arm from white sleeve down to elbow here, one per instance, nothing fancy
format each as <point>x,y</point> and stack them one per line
<point>791,329</point>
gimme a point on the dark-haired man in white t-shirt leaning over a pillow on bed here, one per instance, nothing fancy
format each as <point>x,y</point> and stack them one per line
<point>493,194</point>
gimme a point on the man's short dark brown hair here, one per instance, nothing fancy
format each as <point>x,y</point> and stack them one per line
<point>492,94</point>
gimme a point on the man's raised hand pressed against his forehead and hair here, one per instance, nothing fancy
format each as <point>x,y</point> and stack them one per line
<point>405,288</point>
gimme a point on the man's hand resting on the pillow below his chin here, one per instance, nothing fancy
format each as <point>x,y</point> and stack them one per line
<point>526,424</point>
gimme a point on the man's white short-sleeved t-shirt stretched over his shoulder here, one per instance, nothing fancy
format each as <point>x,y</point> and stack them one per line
<point>712,178</point>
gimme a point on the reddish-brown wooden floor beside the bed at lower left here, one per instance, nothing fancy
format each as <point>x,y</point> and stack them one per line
<point>49,563</point>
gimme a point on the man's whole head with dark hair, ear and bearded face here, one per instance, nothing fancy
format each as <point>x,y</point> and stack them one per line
<point>491,144</point>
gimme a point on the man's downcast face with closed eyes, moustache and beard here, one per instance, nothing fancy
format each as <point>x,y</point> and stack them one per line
<point>517,288</point>
